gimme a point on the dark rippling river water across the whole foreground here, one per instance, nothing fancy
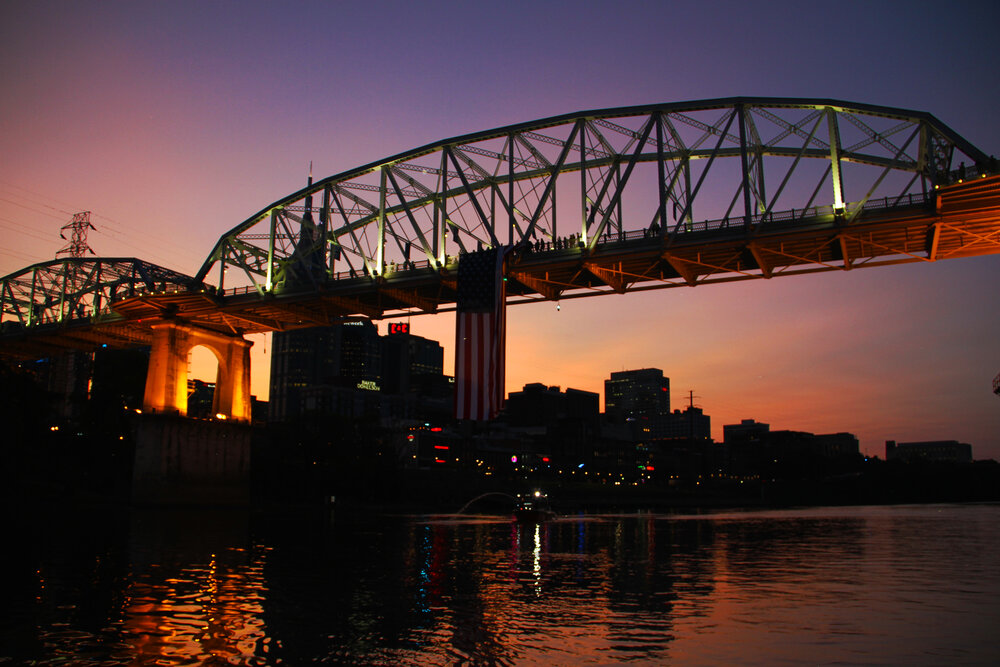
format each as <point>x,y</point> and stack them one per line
<point>898,585</point>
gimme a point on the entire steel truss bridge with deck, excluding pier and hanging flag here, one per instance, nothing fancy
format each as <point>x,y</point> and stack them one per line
<point>609,201</point>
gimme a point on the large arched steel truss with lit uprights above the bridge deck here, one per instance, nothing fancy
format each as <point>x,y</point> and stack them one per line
<point>665,169</point>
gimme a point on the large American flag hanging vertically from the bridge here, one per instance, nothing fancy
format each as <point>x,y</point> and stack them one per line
<point>480,335</point>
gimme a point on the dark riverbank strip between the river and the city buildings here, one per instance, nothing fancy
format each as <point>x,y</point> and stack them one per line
<point>71,469</point>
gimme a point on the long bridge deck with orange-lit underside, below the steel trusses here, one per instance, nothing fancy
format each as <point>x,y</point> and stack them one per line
<point>962,221</point>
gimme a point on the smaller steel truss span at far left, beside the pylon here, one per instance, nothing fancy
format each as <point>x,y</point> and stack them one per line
<point>76,290</point>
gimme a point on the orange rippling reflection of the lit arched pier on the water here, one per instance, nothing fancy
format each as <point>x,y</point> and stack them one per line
<point>196,589</point>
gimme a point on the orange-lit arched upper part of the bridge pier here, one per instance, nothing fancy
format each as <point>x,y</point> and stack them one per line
<point>166,379</point>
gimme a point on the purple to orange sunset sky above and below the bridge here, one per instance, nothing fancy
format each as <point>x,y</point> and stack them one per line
<point>174,121</point>
